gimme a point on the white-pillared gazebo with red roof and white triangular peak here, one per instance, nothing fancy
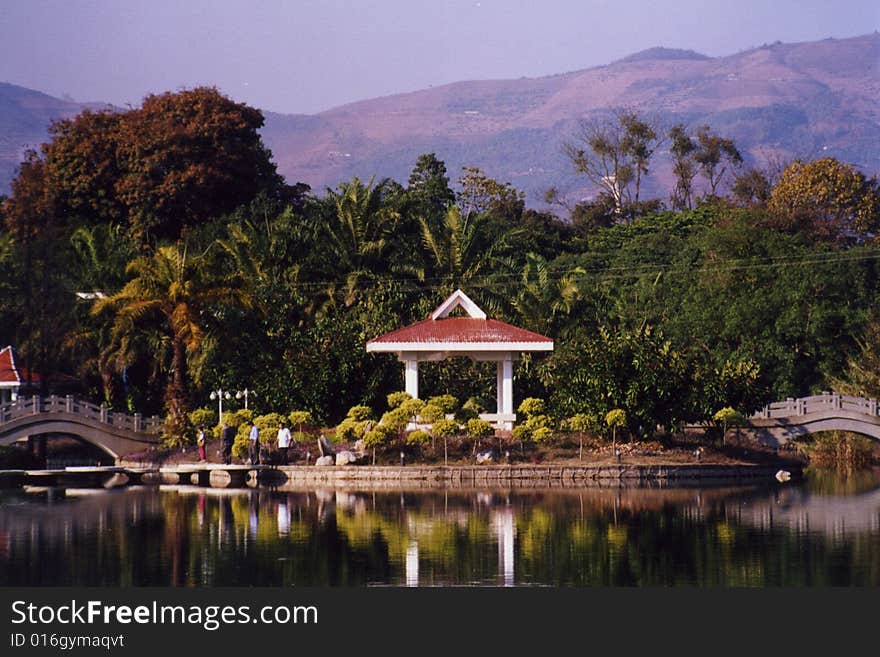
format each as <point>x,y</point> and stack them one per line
<point>442,336</point>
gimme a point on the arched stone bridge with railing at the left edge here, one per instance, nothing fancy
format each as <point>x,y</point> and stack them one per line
<point>117,434</point>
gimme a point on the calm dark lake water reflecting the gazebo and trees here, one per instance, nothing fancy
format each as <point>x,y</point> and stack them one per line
<point>819,533</point>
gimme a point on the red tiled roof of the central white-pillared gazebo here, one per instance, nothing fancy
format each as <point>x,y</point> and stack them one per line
<point>460,329</point>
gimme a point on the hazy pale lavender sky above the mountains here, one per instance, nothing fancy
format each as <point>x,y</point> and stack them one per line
<point>310,55</point>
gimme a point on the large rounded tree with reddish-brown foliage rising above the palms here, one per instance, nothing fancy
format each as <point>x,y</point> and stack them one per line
<point>175,162</point>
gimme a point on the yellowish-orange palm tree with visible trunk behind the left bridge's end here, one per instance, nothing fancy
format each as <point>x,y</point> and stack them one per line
<point>172,298</point>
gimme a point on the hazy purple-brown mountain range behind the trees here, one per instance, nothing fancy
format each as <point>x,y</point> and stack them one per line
<point>777,101</point>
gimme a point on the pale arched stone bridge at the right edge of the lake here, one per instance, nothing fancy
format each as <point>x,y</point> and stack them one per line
<point>780,422</point>
